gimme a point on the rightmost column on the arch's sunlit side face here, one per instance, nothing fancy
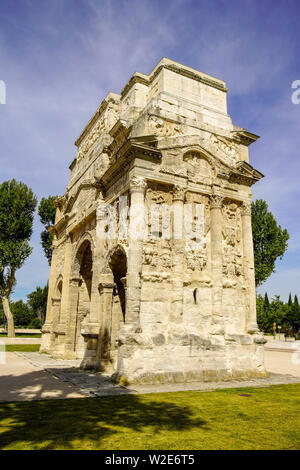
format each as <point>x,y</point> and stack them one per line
<point>251,320</point>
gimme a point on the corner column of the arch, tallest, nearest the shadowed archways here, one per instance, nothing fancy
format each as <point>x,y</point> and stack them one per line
<point>135,250</point>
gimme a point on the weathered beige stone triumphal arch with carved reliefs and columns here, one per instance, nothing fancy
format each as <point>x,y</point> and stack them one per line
<point>152,275</point>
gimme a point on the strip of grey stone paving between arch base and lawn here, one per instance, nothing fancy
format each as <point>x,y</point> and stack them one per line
<point>98,384</point>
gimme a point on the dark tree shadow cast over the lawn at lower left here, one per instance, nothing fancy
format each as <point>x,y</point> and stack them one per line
<point>87,422</point>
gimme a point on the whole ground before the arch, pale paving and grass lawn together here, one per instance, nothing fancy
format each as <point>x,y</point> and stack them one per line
<point>50,404</point>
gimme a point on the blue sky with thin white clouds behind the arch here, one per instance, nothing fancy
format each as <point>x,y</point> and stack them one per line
<point>59,59</point>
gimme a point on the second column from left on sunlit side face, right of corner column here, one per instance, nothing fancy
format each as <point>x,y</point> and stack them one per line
<point>178,254</point>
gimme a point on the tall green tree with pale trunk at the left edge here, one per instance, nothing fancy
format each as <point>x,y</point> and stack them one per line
<point>17,206</point>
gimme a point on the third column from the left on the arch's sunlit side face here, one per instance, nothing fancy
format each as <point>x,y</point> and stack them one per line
<point>216,263</point>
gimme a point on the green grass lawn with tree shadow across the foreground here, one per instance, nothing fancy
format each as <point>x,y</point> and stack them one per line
<point>245,418</point>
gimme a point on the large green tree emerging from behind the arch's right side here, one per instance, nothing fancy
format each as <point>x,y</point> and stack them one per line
<point>269,241</point>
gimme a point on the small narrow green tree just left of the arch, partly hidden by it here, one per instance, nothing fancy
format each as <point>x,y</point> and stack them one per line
<point>46,211</point>
